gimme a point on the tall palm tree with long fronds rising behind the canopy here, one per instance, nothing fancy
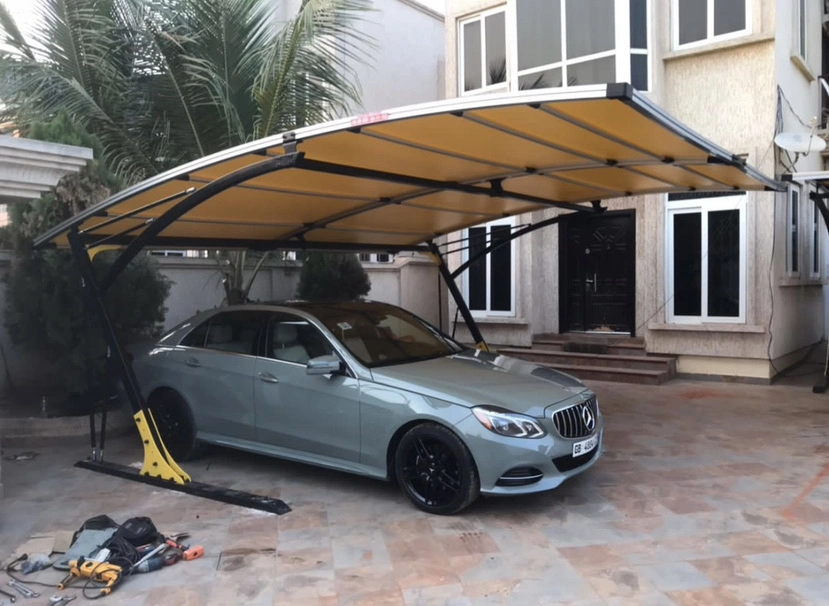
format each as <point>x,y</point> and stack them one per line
<point>163,82</point>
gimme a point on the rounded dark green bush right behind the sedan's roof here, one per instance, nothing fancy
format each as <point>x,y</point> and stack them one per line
<point>333,277</point>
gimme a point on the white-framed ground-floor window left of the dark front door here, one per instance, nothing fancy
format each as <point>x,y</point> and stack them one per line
<point>489,283</point>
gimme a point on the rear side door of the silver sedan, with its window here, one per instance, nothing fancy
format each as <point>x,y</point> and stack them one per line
<point>214,368</point>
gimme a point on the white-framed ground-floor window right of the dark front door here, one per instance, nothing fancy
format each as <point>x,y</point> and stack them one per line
<point>706,259</point>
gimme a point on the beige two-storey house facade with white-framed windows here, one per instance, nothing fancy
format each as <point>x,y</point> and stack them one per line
<point>731,284</point>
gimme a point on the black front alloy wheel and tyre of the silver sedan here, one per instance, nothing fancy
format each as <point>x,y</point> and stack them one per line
<point>435,470</point>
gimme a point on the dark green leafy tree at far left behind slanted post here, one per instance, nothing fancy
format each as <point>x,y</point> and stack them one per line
<point>44,308</point>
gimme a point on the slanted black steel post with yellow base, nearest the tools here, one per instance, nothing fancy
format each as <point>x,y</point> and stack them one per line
<point>157,461</point>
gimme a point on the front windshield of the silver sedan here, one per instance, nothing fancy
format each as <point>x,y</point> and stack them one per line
<point>382,335</point>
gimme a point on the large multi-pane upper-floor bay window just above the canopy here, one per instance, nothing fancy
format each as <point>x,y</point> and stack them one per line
<point>555,43</point>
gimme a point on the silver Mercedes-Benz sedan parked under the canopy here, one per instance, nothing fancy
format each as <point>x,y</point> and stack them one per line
<point>369,388</point>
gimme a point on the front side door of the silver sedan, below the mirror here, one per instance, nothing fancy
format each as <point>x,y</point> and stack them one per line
<point>315,414</point>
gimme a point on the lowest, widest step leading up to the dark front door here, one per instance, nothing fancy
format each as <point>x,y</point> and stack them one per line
<point>644,369</point>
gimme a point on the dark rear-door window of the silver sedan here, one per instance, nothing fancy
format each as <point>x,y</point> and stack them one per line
<point>232,331</point>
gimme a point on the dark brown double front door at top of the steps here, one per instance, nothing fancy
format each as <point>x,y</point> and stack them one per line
<point>598,269</point>
